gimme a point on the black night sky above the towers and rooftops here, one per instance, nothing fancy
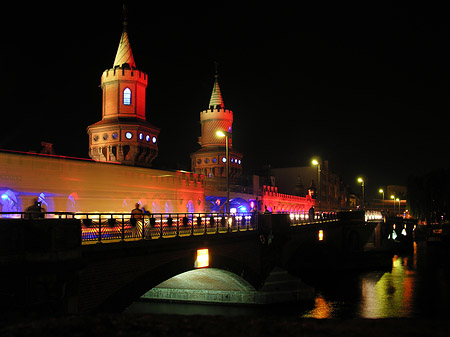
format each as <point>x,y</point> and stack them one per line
<point>365,87</point>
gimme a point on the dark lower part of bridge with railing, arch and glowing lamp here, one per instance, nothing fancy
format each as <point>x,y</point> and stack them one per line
<point>83,262</point>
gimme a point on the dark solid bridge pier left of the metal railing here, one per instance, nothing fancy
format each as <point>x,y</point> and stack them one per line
<point>40,262</point>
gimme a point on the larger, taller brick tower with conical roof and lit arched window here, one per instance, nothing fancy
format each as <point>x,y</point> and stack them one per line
<point>123,135</point>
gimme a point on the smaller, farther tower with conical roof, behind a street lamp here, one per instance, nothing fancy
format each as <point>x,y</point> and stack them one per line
<point>211,159</point>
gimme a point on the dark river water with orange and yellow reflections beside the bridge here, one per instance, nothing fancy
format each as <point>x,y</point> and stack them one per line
<point>418,285</point>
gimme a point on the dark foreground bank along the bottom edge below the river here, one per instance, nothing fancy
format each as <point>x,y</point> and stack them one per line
<point>175,325</point>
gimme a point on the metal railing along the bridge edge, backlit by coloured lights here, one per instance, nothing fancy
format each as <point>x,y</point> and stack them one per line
<point>110,227</point>
